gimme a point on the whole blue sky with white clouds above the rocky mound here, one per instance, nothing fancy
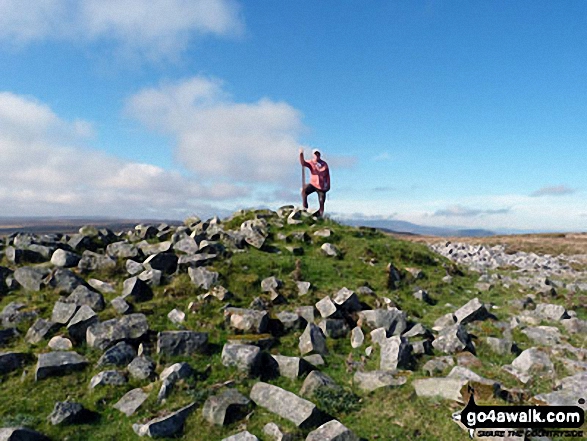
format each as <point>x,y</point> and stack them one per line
<point>441,113</point>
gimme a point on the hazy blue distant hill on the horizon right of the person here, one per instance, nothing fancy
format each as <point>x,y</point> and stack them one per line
<point>398,226</point>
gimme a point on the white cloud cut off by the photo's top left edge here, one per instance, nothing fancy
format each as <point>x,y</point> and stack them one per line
<point>155,28</point>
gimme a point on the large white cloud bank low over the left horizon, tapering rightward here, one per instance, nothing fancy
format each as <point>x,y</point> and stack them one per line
<point>45,168</point>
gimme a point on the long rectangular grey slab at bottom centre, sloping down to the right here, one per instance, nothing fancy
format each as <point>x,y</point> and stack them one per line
<point>287,405</point>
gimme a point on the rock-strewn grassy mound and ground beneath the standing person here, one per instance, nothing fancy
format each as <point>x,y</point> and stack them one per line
<point>278,325</point>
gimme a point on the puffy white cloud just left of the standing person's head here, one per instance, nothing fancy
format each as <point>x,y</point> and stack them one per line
<point>222,140</point>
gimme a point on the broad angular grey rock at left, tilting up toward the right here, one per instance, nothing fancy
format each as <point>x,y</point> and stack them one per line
<point>129,328</point>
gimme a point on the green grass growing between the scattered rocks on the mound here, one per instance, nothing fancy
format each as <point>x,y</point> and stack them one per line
<point>385,414</point>
